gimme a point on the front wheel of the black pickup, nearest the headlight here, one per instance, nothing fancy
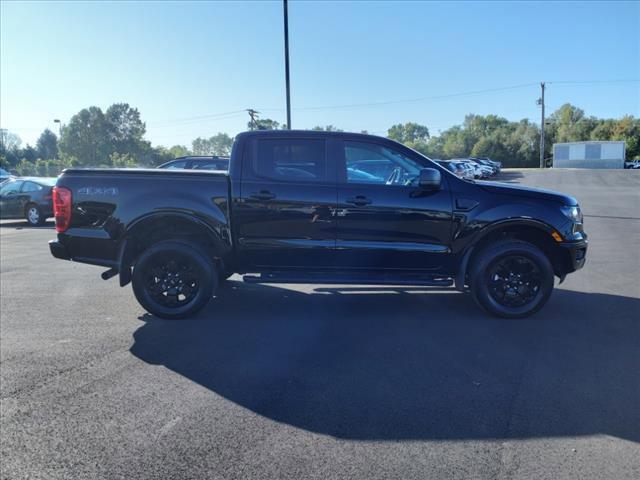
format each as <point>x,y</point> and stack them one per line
<point>511,279</point>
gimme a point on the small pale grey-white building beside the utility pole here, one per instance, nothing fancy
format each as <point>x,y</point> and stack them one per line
<point>589,155</point>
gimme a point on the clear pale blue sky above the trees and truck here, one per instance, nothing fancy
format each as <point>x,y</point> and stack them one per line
<point>184,64</point>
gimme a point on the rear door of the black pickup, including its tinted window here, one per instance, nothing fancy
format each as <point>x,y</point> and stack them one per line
<point>286,214</point>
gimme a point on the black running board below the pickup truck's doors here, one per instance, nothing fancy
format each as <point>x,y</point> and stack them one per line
<point>349,279</point>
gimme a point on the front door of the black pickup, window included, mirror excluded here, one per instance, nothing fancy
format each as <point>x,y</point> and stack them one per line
<point>384,222</point>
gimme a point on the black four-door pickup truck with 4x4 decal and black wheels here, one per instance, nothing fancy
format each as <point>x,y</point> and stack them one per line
<point>317,207</point>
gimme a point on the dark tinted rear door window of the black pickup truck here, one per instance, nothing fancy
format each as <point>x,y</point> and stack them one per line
<point>293,160</point>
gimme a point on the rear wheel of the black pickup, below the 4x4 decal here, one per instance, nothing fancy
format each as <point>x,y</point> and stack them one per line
<point>170,270</point>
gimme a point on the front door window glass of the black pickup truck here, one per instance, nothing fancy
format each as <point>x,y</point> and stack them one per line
<point>378,165</point>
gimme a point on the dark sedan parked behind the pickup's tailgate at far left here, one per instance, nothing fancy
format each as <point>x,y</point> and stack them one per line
<point>27,197</point>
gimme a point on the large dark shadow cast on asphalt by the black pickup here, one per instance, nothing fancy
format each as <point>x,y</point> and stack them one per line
<point>398,363</point>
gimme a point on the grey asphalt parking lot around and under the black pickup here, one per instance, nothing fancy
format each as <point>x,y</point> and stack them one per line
<point>326,382</point>
